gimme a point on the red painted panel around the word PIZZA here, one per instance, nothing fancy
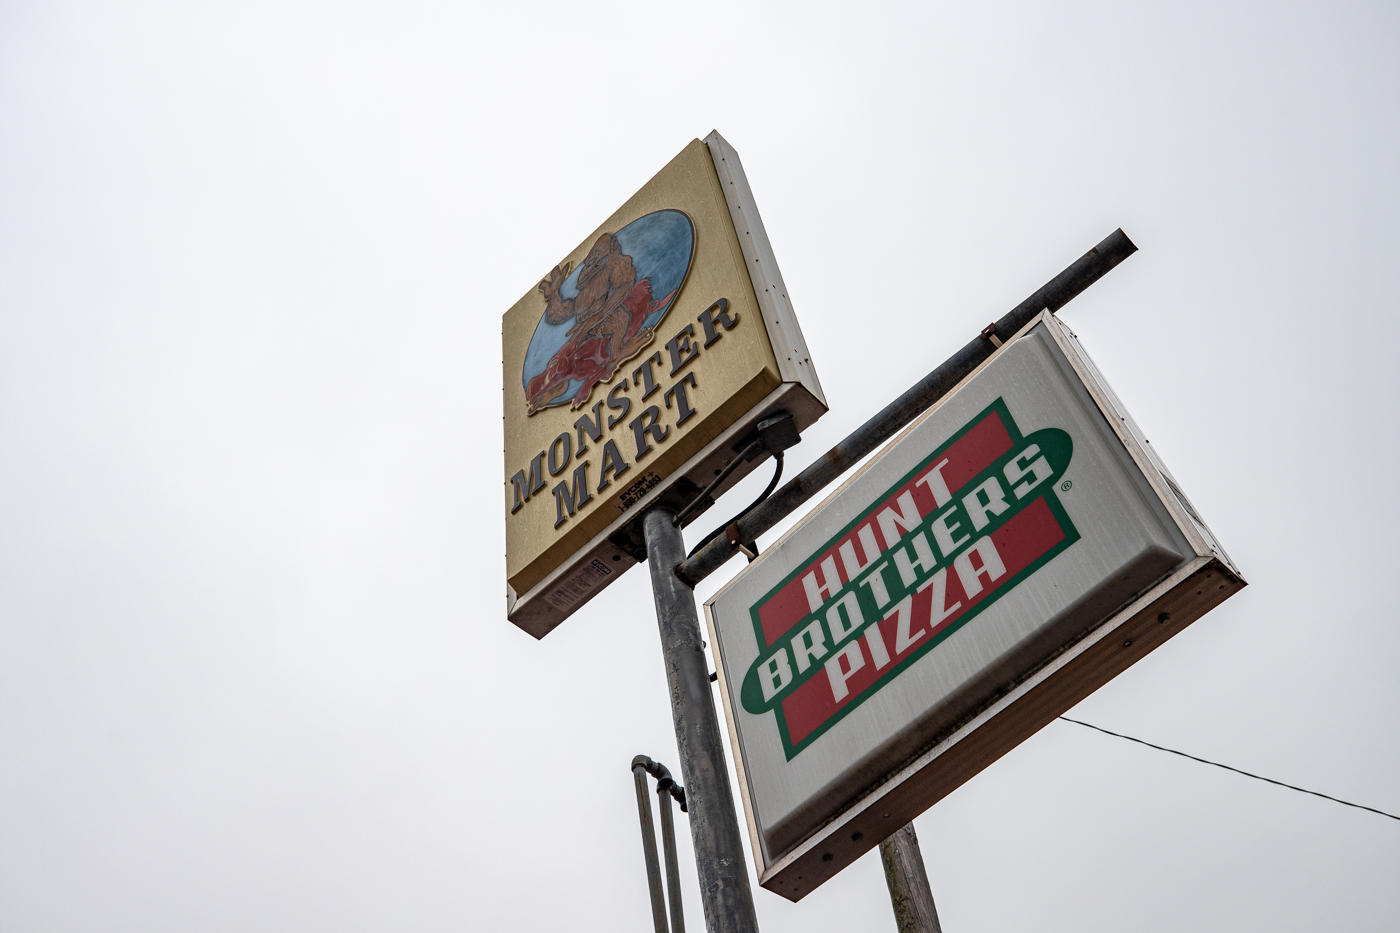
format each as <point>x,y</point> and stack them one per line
<point>1031,534</point>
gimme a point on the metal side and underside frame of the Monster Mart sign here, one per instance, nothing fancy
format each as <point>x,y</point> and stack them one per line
<point>800,396</point>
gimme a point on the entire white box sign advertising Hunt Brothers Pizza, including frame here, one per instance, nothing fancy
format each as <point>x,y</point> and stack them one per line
<point>1014,550</point>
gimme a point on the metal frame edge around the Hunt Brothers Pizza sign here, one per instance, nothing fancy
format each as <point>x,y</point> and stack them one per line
<point>1041,697</point>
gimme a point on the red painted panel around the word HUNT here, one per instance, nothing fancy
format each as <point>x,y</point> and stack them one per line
<point>972,453</point>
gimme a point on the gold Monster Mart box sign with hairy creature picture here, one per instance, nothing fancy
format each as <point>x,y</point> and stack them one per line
<point>632,369</point>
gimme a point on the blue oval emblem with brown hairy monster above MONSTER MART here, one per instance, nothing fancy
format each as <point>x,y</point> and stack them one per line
<point>566,361</point>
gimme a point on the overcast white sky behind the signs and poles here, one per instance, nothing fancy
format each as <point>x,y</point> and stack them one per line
<point>255,672</point>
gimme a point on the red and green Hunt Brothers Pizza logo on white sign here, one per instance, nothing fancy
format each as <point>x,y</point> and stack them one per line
<point>967,526</point>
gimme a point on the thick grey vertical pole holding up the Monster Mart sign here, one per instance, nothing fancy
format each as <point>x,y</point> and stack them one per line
<point>715,826</point>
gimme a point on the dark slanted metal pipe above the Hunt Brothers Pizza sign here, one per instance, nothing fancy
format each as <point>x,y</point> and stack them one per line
<point>1055,295</point>
